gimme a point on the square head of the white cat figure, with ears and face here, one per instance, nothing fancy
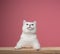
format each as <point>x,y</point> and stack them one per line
<point>29,27</point>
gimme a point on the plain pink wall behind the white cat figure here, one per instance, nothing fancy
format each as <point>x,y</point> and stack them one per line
<point>45,12</point>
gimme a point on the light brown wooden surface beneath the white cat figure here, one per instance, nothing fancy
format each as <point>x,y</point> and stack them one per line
<point>44,50</point>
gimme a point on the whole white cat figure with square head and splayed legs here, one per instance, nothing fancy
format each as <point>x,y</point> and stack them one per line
<point>28,36</point>
